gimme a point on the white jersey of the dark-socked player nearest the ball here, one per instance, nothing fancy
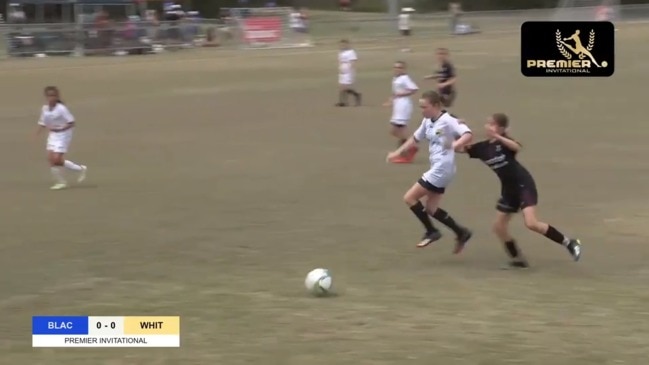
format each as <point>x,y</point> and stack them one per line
<point>441,134</point>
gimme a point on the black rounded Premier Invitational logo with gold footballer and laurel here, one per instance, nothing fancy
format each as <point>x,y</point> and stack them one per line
<point>546,50</point>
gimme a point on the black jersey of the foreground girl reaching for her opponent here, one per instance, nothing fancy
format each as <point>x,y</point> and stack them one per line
<point>502,161</point>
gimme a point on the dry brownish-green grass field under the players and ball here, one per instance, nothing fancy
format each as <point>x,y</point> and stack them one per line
<point>219,179</point>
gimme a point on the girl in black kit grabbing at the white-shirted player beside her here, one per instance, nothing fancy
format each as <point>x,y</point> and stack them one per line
<point>518,190</point>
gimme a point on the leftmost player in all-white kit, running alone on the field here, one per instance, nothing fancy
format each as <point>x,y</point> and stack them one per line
<point>57,119</point>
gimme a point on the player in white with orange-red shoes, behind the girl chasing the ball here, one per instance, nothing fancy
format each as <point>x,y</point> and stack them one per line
<point>402,89</point>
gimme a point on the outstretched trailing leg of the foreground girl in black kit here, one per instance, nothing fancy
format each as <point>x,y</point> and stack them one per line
<point>529,200</point>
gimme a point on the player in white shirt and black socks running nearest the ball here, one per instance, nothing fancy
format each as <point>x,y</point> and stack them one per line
<point>445,134</point>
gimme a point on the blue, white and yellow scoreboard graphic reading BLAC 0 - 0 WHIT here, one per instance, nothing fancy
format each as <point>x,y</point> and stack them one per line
<point>89,331</point>
